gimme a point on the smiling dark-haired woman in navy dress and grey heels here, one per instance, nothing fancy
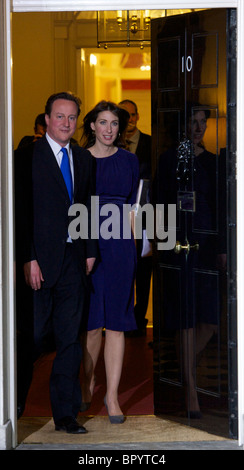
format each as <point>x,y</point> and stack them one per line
<point>111,299</point>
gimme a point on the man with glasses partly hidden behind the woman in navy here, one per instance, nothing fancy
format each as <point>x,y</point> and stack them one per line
<point>140,144</point>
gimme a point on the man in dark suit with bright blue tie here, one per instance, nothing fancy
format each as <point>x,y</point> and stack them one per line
<point>55,266</point>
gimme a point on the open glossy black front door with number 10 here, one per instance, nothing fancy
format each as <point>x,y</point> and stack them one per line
<point>193,65</point>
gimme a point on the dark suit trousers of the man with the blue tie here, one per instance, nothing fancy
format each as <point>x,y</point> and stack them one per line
<point>58,311</point>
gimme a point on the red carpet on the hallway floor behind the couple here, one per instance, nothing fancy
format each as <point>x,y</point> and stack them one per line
<point>136,386</point>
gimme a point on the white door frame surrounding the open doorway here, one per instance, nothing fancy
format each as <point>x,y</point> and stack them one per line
<point>7,308</point>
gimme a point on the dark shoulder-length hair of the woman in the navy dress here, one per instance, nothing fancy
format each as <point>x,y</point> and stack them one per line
<point>88,137</point>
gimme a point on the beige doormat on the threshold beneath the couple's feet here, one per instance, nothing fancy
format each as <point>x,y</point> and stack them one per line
<point>134,429</point>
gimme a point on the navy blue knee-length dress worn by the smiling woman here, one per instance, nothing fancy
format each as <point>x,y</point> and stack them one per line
<point>111,302</point>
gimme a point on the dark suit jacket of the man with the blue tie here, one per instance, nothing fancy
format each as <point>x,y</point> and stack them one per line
<point>43,200</point>
